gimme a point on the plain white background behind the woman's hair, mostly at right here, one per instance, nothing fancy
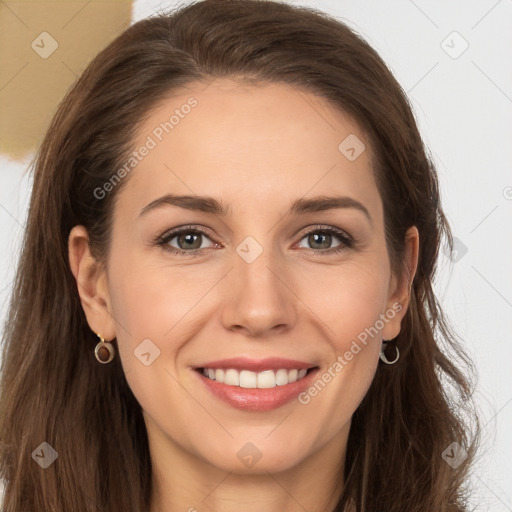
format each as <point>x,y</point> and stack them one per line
<point>464,109</point>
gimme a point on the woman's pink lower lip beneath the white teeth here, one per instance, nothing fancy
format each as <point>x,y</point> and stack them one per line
<point>256,399</point>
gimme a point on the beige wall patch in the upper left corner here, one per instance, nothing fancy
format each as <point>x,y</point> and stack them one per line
<point>44,47</point>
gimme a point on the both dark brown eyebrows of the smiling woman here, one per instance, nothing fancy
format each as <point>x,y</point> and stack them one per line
<point>212,206</point>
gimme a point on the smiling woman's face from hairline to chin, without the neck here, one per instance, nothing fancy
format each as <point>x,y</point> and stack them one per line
<point>278,276</point>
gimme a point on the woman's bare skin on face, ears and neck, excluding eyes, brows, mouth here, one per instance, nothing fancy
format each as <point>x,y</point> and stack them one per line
<point>246,146</point>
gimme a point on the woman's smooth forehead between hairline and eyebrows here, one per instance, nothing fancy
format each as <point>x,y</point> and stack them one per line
<point>245,144</point>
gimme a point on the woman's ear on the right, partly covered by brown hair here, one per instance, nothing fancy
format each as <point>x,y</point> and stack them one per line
<point>400,287</point>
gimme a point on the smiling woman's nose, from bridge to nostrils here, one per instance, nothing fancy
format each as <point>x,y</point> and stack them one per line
<point>259,292</point>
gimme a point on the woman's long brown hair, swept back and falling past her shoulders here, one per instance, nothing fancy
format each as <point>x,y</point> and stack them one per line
<point>52,388</point>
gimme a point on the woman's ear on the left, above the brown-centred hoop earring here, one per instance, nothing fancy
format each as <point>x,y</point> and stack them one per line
<point>92,283</point>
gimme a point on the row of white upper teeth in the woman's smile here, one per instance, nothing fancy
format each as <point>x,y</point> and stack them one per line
<point>253,380</point>
